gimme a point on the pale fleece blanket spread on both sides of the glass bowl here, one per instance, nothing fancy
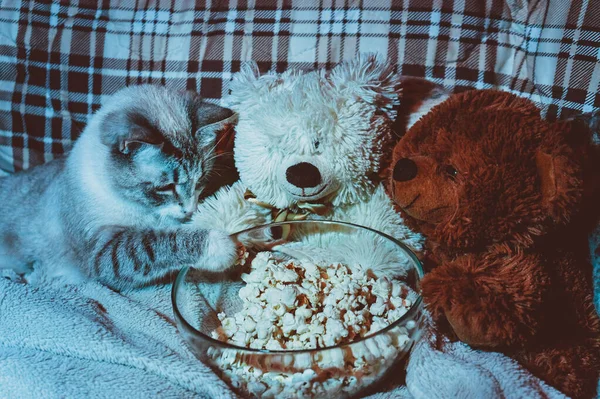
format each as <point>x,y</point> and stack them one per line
<point>90,341</point>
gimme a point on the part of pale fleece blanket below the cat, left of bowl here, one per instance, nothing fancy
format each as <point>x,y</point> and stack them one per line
<point>89,341</point>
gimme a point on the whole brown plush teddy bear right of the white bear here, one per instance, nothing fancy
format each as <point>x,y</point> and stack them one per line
<point>495,190</point>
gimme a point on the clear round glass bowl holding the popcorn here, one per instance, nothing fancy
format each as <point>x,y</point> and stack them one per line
<point>338,371</point>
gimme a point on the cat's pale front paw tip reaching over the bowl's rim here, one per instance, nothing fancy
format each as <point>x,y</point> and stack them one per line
<point>221,252</point>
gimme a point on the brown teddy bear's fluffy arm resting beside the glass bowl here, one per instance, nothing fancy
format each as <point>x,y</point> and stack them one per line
<point>491,300</point>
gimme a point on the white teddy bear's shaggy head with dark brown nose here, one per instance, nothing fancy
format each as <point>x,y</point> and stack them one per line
<point>314,136</point>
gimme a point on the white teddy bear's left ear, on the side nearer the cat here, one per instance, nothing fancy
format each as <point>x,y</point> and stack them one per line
<point>247,85</point>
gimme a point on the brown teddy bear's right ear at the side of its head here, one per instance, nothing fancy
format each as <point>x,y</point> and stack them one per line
<point>560,181</point>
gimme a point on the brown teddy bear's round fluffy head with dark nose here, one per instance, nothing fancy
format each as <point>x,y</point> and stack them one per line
<point>483,168</point>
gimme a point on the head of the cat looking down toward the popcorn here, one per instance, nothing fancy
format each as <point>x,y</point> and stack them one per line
<point>161,147</point>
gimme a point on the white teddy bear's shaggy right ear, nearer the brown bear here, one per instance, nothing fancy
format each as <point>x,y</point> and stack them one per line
<point>369,77</point>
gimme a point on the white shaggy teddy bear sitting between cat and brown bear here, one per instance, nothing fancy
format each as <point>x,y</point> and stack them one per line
<point>312,145</point>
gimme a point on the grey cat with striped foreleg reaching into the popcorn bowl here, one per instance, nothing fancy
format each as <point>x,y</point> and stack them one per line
<point>115,208</point>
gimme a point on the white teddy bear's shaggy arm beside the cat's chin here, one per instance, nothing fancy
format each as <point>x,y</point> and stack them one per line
<point>227,210</point>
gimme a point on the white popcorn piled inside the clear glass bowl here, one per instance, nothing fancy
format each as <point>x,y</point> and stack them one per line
<point>291,305</point>
